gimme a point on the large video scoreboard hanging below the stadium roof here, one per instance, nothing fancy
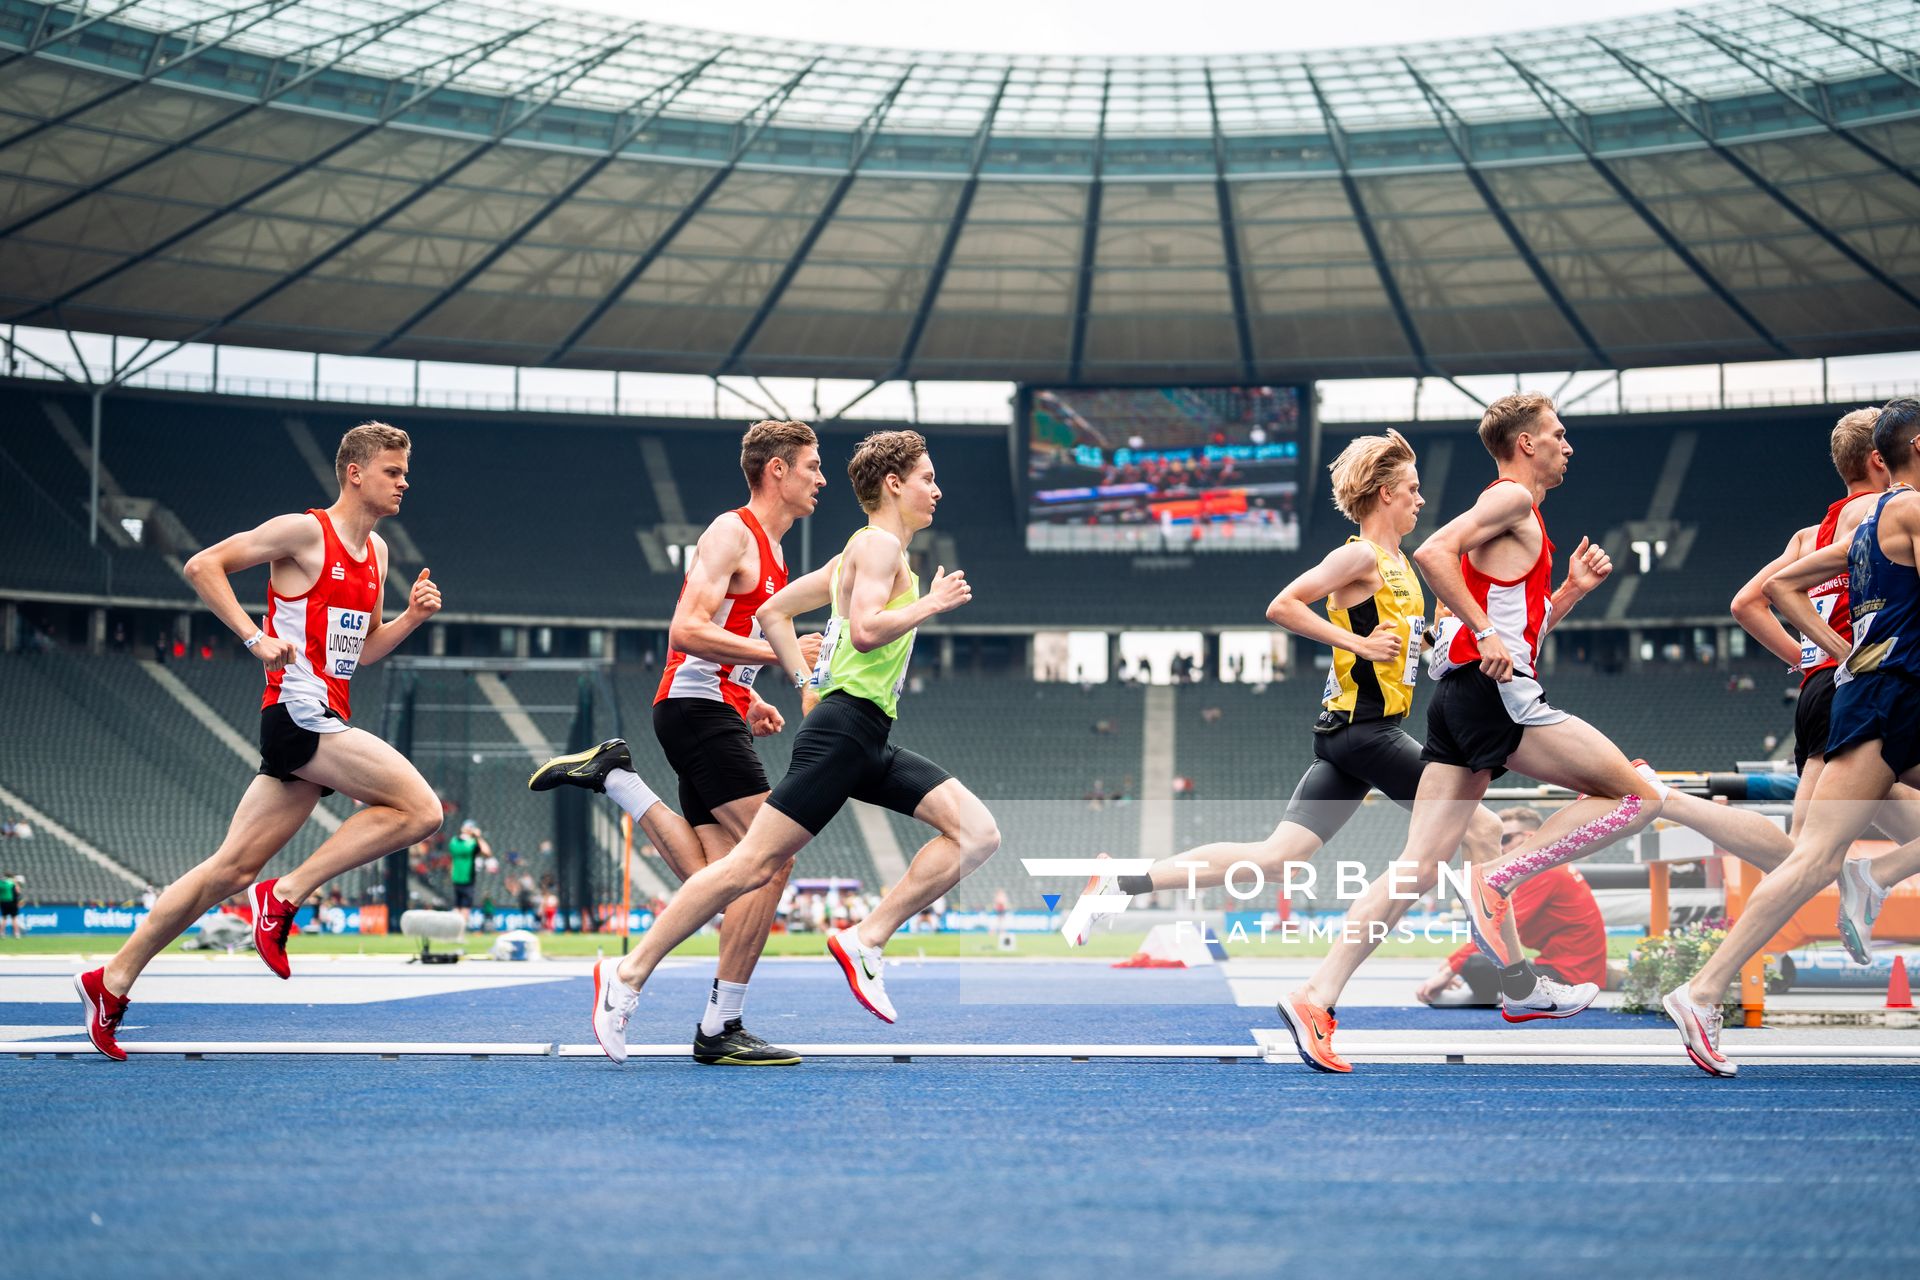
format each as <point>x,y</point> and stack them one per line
<point>1164,469</point>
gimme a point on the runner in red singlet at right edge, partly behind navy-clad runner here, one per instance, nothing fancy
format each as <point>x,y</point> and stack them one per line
<point>1865,475</point>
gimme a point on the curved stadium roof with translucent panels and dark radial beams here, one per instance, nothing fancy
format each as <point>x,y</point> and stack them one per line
<point>517,185</point>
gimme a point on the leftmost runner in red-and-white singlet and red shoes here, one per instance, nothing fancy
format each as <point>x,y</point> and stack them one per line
<point>324,623</point>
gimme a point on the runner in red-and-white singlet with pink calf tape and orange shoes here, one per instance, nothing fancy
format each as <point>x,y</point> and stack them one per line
<point>1493,569</point>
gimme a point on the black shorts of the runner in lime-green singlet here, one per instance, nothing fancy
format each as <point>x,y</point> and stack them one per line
<point>842,755</point>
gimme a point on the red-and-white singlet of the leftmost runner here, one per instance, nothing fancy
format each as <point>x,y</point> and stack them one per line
<point>327,625</point>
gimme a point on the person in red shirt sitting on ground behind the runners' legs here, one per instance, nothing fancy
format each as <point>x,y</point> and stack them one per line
<point>1556,916</point>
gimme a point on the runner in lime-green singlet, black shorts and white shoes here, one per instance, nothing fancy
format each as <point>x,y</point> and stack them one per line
<point>842,751</point>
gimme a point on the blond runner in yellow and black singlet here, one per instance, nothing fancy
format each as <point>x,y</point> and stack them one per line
<point>1376,619</point>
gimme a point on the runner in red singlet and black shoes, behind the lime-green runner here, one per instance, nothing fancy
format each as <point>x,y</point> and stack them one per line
<point>706,717</point>
